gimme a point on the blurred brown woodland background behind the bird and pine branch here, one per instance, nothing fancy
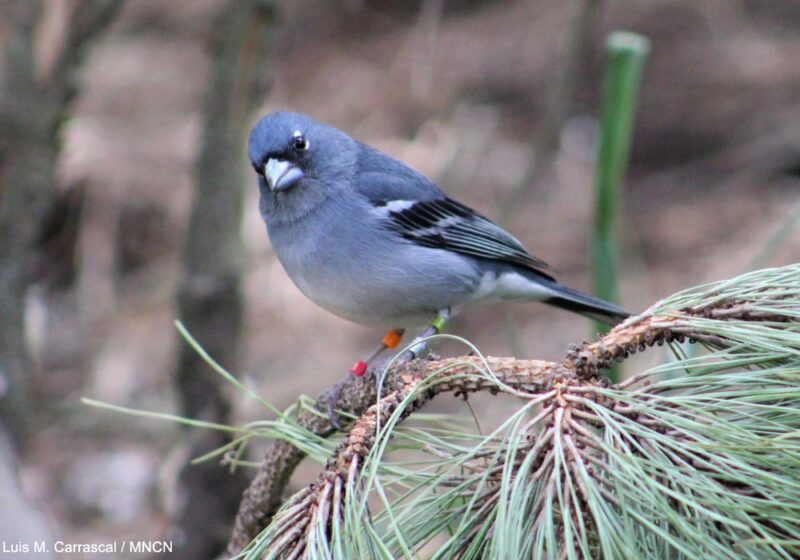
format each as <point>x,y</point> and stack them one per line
<point>126,202</point>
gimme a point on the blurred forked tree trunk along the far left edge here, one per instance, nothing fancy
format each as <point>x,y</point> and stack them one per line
<point>35,95</point>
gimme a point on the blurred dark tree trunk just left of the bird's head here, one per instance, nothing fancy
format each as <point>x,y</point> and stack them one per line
<point>210,299</point>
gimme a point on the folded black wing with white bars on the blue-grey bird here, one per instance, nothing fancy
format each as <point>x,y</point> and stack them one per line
<point>443,223</point>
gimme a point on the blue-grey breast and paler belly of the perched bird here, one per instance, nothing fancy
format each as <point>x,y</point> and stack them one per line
<point>362,273</point>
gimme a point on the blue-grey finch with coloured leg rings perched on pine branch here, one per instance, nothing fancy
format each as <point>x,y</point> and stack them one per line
<point>375,242</point>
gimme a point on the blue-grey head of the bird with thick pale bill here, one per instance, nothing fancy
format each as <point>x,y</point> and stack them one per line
<point>290,151</point>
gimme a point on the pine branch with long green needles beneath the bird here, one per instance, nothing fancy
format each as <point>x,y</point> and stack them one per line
<point>599,470</point>
